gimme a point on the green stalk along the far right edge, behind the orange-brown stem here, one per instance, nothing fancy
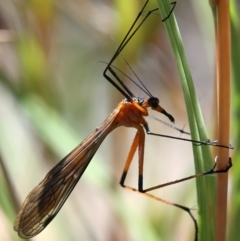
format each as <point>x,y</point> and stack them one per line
<point>233,203</point>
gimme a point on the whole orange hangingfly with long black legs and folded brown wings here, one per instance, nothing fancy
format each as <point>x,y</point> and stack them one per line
<point>44,201</point>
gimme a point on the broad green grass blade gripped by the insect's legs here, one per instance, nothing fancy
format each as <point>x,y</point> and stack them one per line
<point>202,157</point>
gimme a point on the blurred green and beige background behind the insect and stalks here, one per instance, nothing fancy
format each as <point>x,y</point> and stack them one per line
<point>53,95</point>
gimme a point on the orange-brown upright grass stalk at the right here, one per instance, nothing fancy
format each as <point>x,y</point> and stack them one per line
<point>223,111</point>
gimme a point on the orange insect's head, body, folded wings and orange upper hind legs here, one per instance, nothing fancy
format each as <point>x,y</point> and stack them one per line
<point>44,202</point>
